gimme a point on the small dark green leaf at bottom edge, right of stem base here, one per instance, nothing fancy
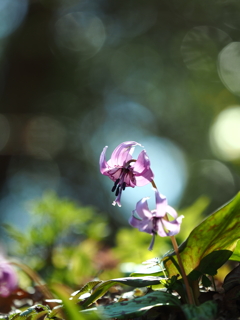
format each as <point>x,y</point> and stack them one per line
<point>206,311</point>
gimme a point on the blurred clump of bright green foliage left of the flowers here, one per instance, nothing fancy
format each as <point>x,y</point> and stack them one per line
<point>62,239</point>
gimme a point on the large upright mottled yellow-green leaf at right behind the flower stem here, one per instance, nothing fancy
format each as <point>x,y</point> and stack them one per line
<point>219,233</point>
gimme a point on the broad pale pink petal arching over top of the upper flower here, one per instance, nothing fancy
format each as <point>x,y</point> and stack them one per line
<point>123,153</point>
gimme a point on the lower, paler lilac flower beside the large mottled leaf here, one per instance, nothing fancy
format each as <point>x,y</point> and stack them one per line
<point>156,221</point>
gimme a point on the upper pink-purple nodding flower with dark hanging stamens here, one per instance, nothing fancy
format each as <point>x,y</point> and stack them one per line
<point>125,171</point>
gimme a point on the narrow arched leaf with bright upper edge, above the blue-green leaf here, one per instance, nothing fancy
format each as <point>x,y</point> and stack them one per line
<point>102,288</point>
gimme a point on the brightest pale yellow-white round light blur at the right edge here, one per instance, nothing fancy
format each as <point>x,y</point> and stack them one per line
<point>225,134</point>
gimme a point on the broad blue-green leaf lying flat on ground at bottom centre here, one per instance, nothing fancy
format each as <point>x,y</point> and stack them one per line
<point>136,307</point>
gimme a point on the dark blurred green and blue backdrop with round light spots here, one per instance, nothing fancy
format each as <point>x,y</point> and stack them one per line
<point>77,75</point>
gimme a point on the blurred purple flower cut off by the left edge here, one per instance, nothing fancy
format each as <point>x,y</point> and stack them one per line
<point>8,278</point>
